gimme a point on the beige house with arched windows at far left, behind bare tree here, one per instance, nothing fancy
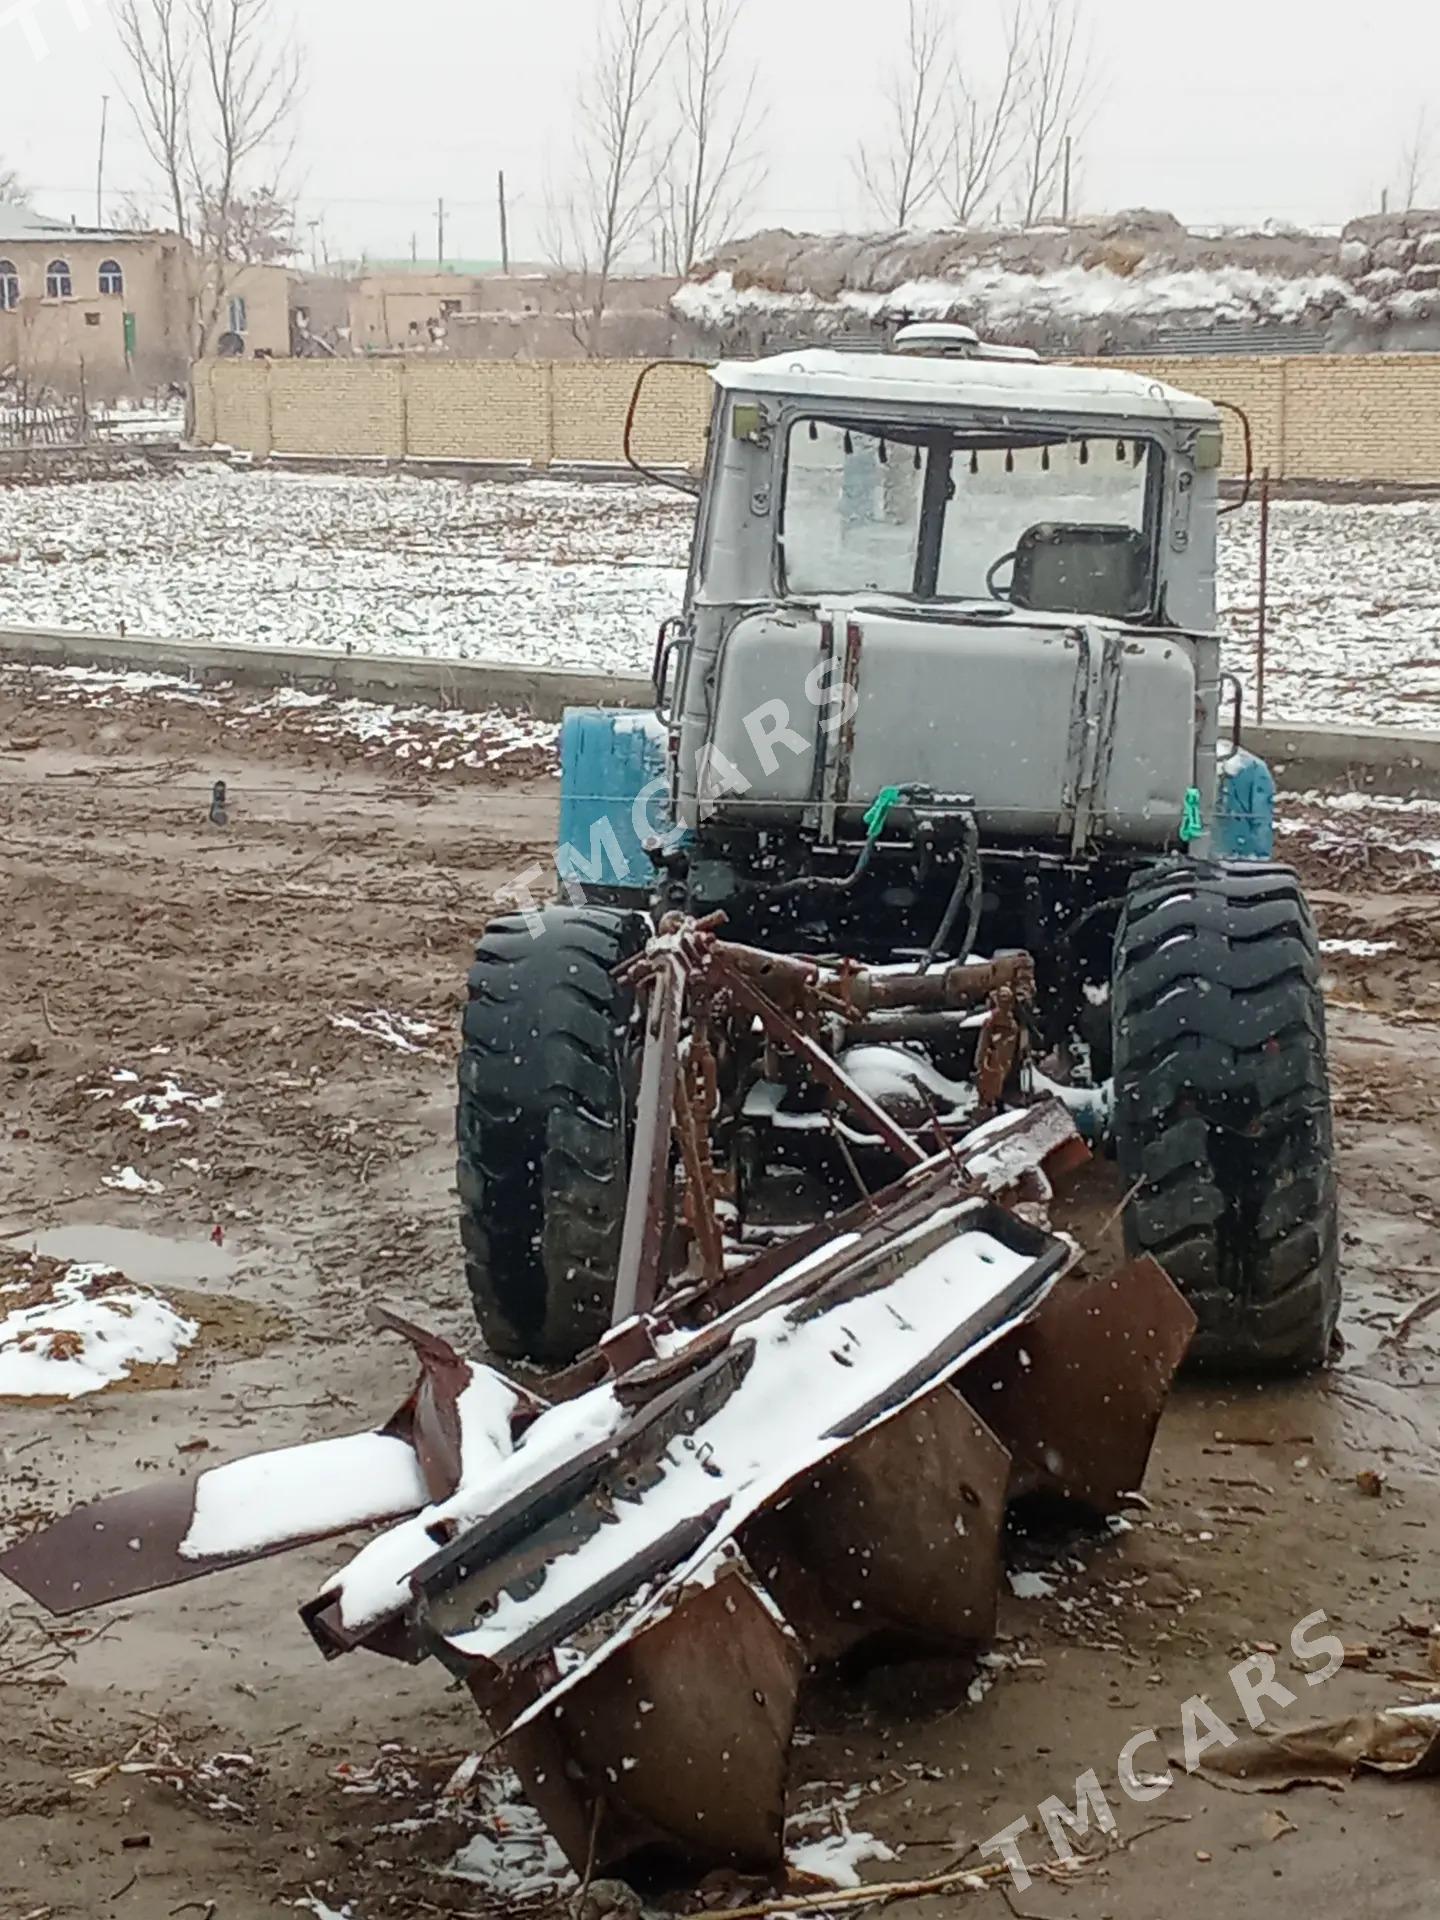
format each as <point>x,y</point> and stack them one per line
<point>110,310</point>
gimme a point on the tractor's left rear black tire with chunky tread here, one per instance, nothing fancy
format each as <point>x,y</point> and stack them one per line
<point>542,1128</point>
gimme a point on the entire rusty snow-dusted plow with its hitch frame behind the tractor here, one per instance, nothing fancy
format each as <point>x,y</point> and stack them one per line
<point>777,1458</point>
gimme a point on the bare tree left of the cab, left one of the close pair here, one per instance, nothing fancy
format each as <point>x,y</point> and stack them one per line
<point>623,156</point>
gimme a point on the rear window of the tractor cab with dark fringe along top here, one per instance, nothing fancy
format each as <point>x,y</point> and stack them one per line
<point>1040,519</point>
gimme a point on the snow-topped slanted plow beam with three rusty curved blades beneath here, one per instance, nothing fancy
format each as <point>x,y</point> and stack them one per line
<point>834,1472</point>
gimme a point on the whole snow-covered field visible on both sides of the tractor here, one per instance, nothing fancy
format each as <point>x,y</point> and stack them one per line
<point>569,575</point>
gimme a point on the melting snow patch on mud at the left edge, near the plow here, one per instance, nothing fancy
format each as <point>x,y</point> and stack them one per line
<point>70,1333</point>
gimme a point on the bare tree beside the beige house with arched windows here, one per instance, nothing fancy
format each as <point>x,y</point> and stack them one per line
<point>214,91</point>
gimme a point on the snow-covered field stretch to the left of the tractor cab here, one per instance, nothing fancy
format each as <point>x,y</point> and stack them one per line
<point>560,575</point>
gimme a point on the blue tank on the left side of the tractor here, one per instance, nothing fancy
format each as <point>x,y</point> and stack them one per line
<point>608,761</point>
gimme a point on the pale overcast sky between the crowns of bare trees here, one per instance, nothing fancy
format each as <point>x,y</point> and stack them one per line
<point>1228,110</point>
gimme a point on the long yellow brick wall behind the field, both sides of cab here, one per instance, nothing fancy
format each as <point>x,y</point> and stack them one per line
<point>1314,418</point>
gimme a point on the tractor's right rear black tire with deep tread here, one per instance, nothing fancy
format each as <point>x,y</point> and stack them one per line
<point>1224,1109</point>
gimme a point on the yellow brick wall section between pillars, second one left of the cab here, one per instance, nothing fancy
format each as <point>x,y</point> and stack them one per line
<point>479,410</point>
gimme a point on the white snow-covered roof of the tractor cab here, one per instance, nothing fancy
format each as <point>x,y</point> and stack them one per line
<point>919,381</point>
